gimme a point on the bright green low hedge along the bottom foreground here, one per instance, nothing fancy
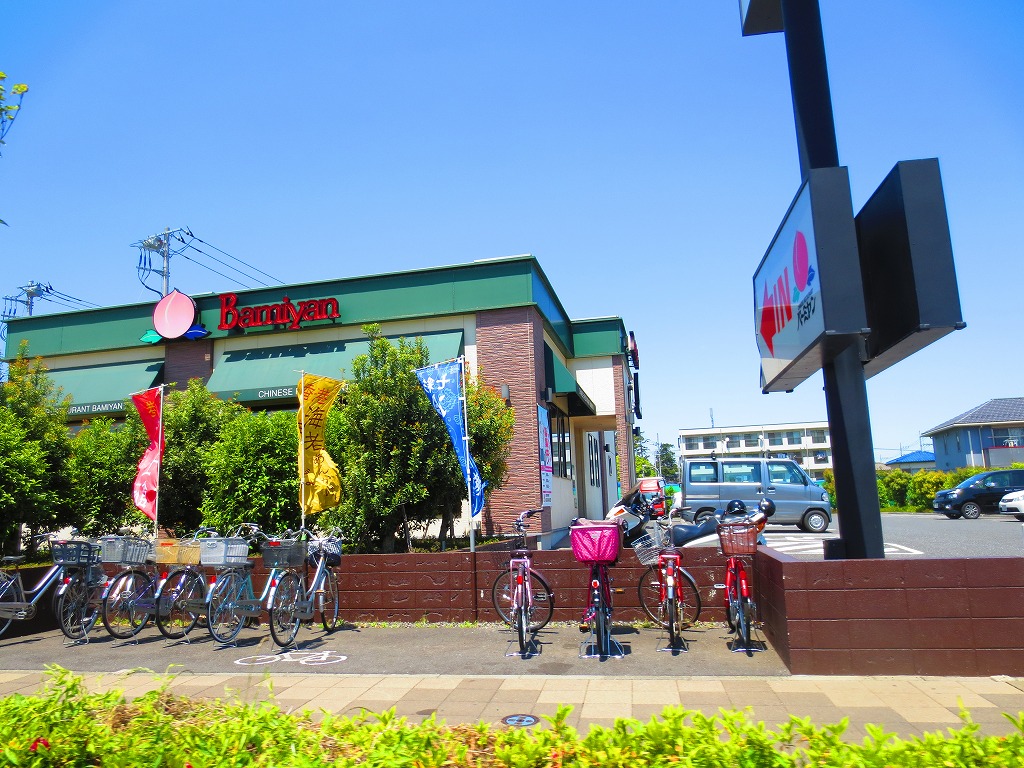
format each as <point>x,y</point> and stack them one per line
<point>65,726</point>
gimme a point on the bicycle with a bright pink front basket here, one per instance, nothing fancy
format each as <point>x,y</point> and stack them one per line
<point>596,543</point>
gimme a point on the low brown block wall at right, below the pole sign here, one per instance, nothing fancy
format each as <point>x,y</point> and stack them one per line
<point>920,617</point>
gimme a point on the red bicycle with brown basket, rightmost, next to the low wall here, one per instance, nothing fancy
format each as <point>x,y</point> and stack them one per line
<point>739,540</point>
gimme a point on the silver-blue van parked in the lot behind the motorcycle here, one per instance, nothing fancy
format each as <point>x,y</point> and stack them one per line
<point>711,484</point>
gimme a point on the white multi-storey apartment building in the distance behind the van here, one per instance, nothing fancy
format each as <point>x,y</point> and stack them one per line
<point>808,444</point>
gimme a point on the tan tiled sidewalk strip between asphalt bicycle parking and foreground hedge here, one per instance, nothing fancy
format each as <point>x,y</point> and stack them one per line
<point>907,706</point>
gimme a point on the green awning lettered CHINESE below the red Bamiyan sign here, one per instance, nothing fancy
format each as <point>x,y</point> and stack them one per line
<point>273,374</point>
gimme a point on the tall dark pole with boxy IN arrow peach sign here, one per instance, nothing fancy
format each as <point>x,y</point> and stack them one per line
<point>876,261</point>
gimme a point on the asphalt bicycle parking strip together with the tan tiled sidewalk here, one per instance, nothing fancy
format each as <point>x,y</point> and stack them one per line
<point>463,675</point>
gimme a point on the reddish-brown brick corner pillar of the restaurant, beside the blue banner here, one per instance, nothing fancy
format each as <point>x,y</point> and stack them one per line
<point>510,351</point>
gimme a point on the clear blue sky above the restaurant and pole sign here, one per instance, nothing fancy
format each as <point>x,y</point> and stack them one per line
<point>645,153</point>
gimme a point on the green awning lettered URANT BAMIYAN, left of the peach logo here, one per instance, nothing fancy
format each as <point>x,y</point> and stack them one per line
<point>101,391</point>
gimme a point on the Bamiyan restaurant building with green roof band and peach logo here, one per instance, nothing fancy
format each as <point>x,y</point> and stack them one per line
<point>573,383</point>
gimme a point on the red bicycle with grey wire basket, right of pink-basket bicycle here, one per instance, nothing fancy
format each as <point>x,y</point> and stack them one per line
<point>668,592</point>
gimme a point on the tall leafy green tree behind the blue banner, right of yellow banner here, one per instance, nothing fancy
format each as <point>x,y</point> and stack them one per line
<point>398,465</point>
